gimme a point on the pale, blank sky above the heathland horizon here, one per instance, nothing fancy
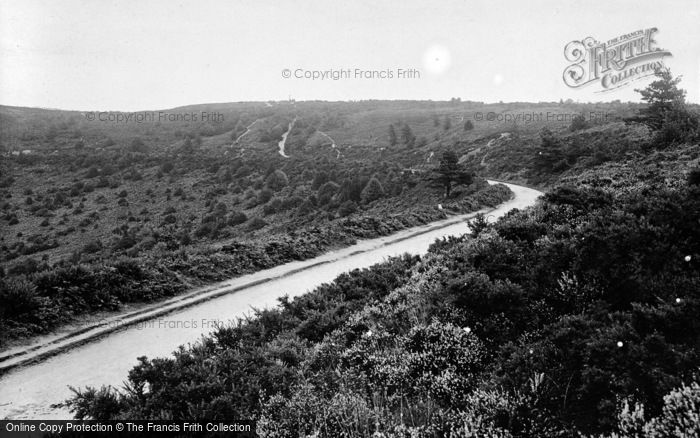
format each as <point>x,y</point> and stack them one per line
<point>150,54</point>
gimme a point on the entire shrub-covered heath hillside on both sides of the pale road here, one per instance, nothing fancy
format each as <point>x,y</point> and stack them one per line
<point>574,317</point>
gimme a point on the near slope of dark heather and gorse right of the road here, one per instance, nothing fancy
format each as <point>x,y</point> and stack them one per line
<point>576,317</point>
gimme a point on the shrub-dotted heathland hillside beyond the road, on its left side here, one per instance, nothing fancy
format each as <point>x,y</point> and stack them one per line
<point>97,214</point>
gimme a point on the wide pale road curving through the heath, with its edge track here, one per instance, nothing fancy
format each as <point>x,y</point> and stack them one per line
<point>37,376</point>
